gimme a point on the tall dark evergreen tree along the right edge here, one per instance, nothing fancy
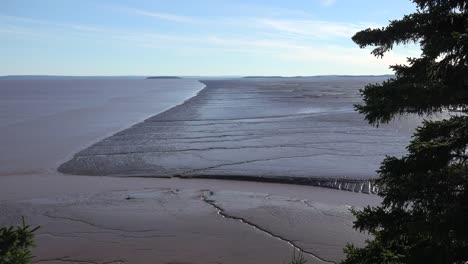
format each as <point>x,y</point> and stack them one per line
<point>424,214</point>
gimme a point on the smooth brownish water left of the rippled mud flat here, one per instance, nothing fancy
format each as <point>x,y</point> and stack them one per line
<point>44,122</point>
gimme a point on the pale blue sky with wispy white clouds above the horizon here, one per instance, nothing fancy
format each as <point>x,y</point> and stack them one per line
<point>194,37</point>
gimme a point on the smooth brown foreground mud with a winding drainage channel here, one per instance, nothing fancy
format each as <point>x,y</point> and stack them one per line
<point>88,219</point>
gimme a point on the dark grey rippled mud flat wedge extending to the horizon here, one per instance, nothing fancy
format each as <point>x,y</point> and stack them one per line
<point>296,130</point>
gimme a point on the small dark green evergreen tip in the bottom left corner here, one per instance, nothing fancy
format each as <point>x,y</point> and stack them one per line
<point>16,244</point>
